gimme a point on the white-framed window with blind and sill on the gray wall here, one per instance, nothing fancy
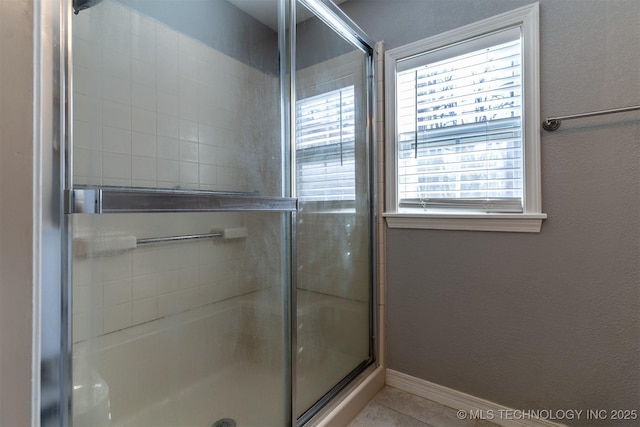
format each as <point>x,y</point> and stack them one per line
<point>462,118</point>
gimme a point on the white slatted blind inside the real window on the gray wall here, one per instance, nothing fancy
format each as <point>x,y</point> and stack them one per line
<point>459,126</point>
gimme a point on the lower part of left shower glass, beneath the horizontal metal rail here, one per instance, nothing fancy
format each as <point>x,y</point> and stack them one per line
<point>179,333</point>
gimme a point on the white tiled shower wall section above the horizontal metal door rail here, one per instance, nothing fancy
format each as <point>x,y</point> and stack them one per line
<point>156,108</point>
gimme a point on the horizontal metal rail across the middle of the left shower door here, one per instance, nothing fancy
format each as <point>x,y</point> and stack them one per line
<point>103,200</point>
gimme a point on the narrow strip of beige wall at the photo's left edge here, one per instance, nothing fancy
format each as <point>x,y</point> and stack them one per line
<point>16,168</point>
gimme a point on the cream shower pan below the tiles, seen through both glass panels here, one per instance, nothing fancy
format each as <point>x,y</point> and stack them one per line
<point>220,361</point>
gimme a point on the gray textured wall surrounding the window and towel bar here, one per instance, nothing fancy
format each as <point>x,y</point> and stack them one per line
<point>549,320</point>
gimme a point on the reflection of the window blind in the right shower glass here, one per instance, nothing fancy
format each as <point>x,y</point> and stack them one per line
<point>325,146</point>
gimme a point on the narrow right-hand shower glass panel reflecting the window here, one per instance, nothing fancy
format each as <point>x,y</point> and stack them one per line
<point>333,222</point>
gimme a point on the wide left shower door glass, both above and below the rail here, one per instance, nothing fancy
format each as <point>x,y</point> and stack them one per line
<point>179,95</point>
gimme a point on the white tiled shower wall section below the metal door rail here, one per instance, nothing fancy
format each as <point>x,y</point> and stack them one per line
<point>113,291</point>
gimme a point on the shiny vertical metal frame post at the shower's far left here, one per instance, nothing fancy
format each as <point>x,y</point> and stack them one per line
<point>52,321</point>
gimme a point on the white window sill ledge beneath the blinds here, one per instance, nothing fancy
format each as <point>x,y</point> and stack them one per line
<point>515,223</point>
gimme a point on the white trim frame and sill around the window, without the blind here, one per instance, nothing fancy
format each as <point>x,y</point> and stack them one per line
<point>530,220</point>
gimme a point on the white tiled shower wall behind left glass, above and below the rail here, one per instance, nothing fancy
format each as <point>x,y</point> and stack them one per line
<point>155,108</point>
